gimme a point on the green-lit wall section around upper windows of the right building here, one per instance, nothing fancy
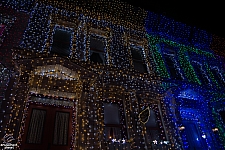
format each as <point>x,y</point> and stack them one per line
<point>184,60</point>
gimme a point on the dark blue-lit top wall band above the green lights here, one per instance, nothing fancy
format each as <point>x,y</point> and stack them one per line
<point>167,28</point>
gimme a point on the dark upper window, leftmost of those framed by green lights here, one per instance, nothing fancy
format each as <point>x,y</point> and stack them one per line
<point>174,74</point>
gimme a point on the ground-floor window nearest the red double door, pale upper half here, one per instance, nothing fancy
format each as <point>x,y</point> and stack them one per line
<point>114,127</point>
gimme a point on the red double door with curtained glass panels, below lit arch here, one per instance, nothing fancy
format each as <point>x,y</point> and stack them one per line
<point>47,128</point>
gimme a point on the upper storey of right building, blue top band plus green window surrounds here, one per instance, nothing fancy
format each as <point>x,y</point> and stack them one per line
<point>187,41</point>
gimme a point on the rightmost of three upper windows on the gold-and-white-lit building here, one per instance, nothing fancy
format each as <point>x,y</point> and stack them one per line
<point>138,62</point>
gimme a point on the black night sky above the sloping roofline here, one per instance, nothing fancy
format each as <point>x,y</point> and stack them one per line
<point>208,15</point>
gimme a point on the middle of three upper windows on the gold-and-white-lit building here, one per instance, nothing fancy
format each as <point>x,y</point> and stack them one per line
<point>97,51</point>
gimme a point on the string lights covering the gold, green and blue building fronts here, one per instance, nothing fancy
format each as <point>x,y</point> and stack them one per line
<point>120,26</point>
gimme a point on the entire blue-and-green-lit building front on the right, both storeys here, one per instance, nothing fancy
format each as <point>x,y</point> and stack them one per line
<point>190,43</point>
